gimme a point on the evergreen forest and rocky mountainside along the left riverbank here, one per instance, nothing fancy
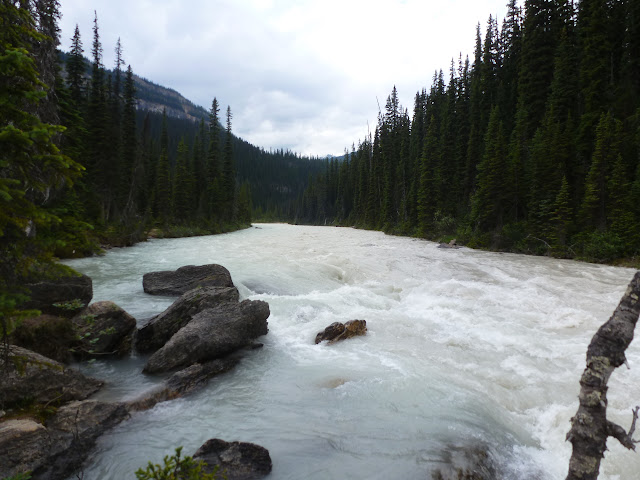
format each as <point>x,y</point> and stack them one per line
<point>85,161</point>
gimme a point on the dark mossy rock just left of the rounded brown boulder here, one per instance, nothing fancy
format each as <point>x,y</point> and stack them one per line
<point>49,335</point>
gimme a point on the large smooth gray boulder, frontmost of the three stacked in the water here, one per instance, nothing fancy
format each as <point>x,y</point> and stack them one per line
<point>212,333</point>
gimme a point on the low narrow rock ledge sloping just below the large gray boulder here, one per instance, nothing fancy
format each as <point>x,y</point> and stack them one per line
<point>183,383</point>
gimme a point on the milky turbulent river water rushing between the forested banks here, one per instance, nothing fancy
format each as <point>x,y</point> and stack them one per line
<point>466,351</point>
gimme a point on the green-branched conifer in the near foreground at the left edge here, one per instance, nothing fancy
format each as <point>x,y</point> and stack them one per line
<point>31,165</point>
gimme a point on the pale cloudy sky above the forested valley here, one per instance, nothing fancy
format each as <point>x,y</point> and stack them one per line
<point>298,74</point>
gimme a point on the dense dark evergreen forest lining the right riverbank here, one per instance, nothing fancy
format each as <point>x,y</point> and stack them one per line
<point>531,146</point>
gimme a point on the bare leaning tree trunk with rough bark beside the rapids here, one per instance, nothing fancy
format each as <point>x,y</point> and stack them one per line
<point>590,427</point>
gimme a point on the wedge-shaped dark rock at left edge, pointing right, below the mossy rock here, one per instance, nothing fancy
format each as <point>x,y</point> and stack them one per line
<point>31,378</point>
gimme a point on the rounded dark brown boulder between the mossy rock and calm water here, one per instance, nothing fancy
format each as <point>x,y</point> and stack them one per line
<point>104,329</point>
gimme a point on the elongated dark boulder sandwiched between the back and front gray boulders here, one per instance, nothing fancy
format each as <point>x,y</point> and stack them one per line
<point>162,327</point>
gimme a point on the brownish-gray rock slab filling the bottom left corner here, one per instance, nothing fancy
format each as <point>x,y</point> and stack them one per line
<point>55,450</point>
